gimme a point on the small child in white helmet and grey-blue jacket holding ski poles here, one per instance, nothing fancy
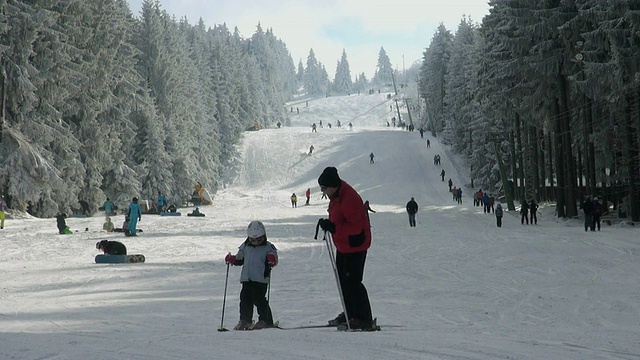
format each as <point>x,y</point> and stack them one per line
<point>256,256</point>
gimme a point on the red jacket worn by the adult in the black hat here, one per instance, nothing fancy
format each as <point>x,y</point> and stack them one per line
<point>347,212</point>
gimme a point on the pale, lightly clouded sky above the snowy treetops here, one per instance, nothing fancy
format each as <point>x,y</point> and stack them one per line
<point>361,27</point>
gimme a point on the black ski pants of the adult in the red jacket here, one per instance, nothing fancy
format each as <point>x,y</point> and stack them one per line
<point>350,269</point>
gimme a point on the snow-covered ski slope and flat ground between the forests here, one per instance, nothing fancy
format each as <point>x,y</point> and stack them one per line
<point>460,287</point>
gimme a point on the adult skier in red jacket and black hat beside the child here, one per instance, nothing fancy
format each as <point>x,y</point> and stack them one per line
<point>349,226</point>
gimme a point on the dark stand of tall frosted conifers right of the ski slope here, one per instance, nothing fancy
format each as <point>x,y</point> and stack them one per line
<point>550,90</point>
